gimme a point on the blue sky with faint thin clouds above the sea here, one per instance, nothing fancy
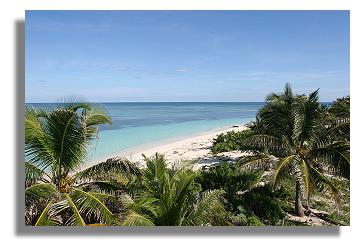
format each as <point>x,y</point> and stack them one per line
<point>184,55</point>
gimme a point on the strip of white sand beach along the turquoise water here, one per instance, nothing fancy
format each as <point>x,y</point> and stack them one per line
<point>197,146</point>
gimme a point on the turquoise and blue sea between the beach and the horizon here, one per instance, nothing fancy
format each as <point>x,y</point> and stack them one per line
<point>136,125</point>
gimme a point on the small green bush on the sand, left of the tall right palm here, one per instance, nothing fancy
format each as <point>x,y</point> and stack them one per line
<point>230,141</point>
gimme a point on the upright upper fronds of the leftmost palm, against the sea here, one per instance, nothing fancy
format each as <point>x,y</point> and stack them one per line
<point>58,140</point>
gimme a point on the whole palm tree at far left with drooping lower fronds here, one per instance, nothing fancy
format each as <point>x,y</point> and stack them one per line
<point>56,145</point>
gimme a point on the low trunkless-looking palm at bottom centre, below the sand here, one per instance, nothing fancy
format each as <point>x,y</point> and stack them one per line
<point>172,198</point>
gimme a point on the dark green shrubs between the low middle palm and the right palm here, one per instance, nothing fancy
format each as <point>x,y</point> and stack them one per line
<point>254,205</point>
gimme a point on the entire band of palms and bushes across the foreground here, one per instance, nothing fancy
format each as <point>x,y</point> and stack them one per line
<point>295,164</point>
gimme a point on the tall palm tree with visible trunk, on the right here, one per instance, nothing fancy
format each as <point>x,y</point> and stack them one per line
<point>293,137</point>
